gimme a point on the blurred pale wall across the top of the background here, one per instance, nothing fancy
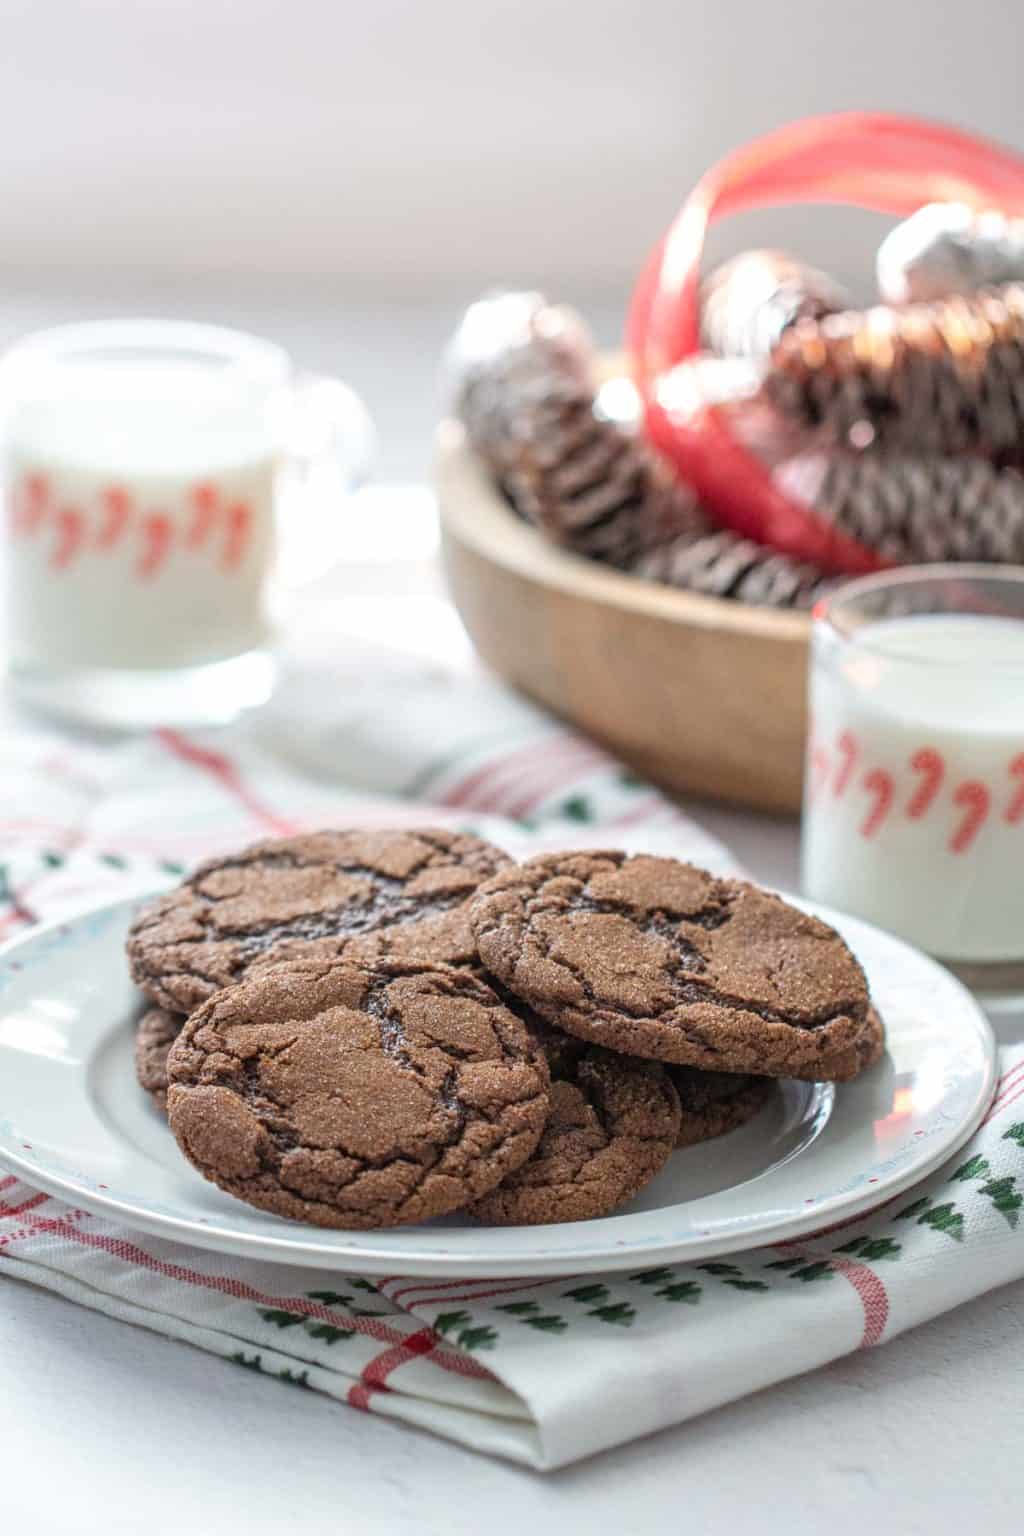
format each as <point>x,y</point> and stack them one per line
<point>409,141</point>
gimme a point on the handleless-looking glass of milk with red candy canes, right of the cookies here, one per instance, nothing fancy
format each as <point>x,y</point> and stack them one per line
<point>914,792</point>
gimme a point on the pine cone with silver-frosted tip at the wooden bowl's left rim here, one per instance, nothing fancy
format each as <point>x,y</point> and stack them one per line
<point>587,482</point>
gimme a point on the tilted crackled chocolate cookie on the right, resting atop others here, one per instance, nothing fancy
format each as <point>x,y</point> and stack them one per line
<point>659,959</point>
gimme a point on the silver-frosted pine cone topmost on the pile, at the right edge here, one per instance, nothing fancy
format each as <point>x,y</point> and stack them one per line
<point>948,248</point>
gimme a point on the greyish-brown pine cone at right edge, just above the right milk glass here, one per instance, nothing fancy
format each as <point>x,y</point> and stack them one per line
<point>916,511</point>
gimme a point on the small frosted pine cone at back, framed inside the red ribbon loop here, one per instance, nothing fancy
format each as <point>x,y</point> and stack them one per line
<point>751,300</point>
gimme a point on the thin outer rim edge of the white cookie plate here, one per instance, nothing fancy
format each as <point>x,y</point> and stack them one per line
<point>606,1257</point>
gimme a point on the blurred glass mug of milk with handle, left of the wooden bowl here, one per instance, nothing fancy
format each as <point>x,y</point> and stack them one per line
<point>145,465</point>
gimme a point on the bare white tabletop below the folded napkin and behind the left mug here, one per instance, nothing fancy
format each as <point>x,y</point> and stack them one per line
<point>107,1428</point>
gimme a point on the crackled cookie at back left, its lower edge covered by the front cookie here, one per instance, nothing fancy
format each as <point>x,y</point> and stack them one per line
<point>366,895</point>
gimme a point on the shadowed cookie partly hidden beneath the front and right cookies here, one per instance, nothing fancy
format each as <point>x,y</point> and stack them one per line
<point>612,1128</point>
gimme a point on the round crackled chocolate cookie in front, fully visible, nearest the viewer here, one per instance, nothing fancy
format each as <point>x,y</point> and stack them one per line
<point>352,1097</point>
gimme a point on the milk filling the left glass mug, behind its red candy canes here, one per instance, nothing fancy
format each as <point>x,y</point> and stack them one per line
<point>140,517</point>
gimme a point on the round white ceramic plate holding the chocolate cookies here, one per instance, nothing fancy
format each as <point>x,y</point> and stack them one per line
<point>74,1122</point>
